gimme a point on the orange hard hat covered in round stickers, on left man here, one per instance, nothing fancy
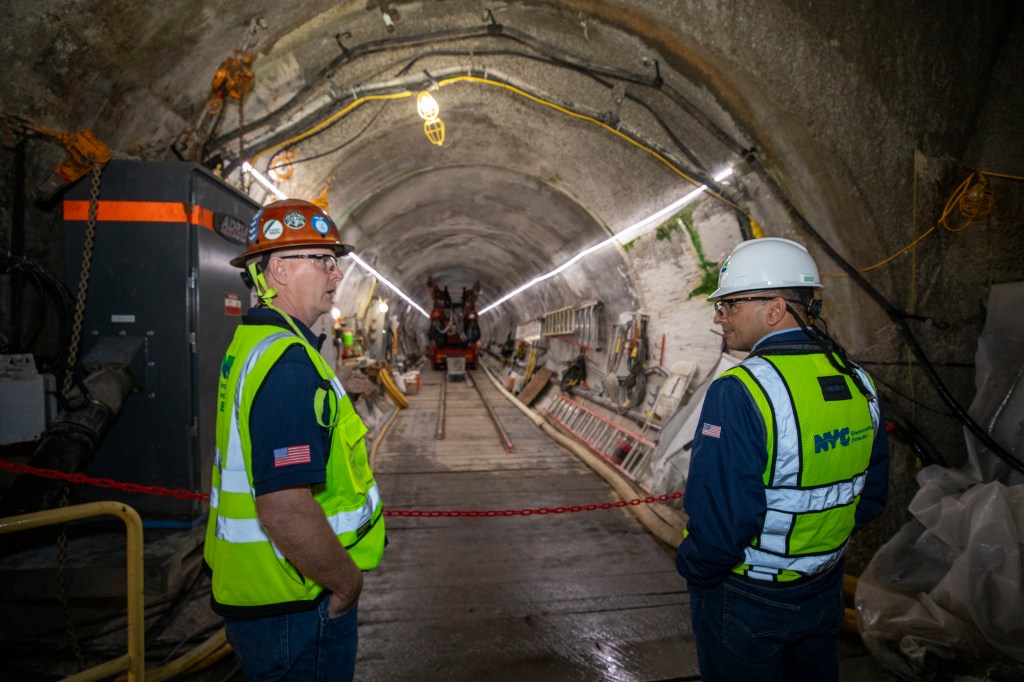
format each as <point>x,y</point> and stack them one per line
<point>291,224</point>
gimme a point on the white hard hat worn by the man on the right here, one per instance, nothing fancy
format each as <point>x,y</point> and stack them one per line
<point>770,263</point>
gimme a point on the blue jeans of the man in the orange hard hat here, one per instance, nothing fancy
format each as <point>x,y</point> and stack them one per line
<point>308,646</point>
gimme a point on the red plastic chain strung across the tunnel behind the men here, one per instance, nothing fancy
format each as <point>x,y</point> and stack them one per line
<point>187,495</point>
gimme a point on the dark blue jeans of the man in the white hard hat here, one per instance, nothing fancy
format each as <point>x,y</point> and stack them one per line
<point>755,633</point>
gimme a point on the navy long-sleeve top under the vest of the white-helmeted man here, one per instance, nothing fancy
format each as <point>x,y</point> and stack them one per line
<point>726,493</point>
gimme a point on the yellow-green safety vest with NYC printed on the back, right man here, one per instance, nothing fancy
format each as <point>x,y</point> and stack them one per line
<point>820,434</point>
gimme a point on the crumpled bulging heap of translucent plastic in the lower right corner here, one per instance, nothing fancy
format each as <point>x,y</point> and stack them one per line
<point>946,594</point>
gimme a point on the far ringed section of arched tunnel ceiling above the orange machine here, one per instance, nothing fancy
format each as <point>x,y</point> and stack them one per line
<point>466,224</point>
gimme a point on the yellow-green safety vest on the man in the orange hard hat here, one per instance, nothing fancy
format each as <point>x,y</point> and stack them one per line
<point>248,569</point>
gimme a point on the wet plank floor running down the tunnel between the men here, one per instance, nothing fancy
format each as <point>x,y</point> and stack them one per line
<point>573,596</point>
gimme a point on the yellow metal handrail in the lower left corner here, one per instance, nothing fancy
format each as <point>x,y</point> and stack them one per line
<point>135,661</point>
